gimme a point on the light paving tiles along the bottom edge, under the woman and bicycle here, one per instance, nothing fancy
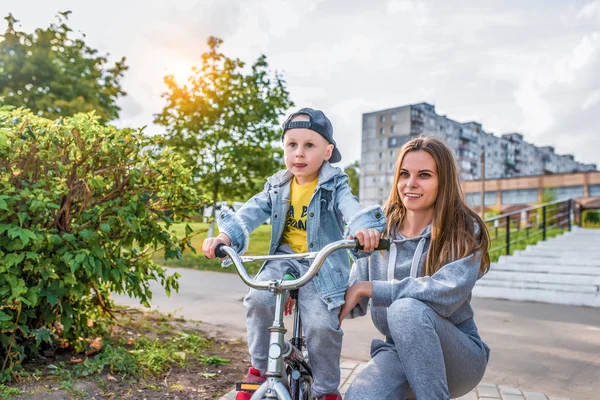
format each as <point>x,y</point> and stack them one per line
<point>484,391</point>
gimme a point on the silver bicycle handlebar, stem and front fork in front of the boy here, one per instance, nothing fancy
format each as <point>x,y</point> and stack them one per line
<point>279,347</point>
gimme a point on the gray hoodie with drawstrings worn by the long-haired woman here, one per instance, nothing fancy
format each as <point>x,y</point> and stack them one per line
<point>398,273</point>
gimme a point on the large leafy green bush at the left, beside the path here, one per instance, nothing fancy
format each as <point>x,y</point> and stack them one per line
<point>82,209</point>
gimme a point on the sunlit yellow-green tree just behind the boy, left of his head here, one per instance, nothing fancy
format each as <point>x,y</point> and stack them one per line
<point>224,122</point>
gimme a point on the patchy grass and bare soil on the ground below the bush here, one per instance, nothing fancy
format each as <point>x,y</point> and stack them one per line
<point>156,361</point>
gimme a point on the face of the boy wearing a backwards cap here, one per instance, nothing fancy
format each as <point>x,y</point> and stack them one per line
<point>304,151</point>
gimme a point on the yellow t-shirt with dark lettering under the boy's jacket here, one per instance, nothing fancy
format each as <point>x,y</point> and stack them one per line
<point>294,233</point>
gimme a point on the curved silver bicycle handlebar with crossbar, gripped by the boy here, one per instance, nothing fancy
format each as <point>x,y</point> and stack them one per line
<point>222,251</point>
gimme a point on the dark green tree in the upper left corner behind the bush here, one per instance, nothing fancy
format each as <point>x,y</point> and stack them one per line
<point>55,74</point>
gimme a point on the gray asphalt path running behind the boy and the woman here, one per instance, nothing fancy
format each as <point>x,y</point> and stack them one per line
<point>553,349</point>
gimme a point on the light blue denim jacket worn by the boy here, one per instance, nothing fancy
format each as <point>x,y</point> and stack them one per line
<point>331,208</point>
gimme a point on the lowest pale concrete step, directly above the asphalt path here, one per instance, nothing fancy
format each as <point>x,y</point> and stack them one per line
<point>540,294</point>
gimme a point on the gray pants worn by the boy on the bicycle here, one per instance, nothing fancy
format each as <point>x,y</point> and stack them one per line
<point>324,338</point>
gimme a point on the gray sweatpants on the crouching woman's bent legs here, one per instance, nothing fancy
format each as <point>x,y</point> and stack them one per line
<point>427,357</point>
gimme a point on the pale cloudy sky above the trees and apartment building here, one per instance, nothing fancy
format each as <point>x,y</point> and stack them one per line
<point>514,66</point>
